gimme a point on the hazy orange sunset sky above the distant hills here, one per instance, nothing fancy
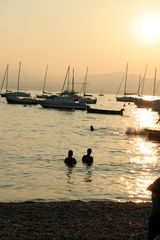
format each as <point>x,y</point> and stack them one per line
<point>100,34</point>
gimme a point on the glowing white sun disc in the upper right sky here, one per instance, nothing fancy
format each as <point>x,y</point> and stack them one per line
<point>147,28</point>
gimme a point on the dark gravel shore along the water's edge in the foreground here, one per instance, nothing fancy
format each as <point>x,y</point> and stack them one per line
<point>72,220</point>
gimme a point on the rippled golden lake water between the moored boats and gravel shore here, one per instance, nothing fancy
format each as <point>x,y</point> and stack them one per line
<point>34,142</point>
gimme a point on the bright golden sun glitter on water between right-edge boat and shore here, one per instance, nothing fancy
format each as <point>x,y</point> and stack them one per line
<point>143,162</point>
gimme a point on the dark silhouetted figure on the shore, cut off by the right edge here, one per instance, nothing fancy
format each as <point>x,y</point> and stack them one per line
<point>154,219</point>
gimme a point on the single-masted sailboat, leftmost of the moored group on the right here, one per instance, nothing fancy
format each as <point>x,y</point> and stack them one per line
<point>126,97</point>
